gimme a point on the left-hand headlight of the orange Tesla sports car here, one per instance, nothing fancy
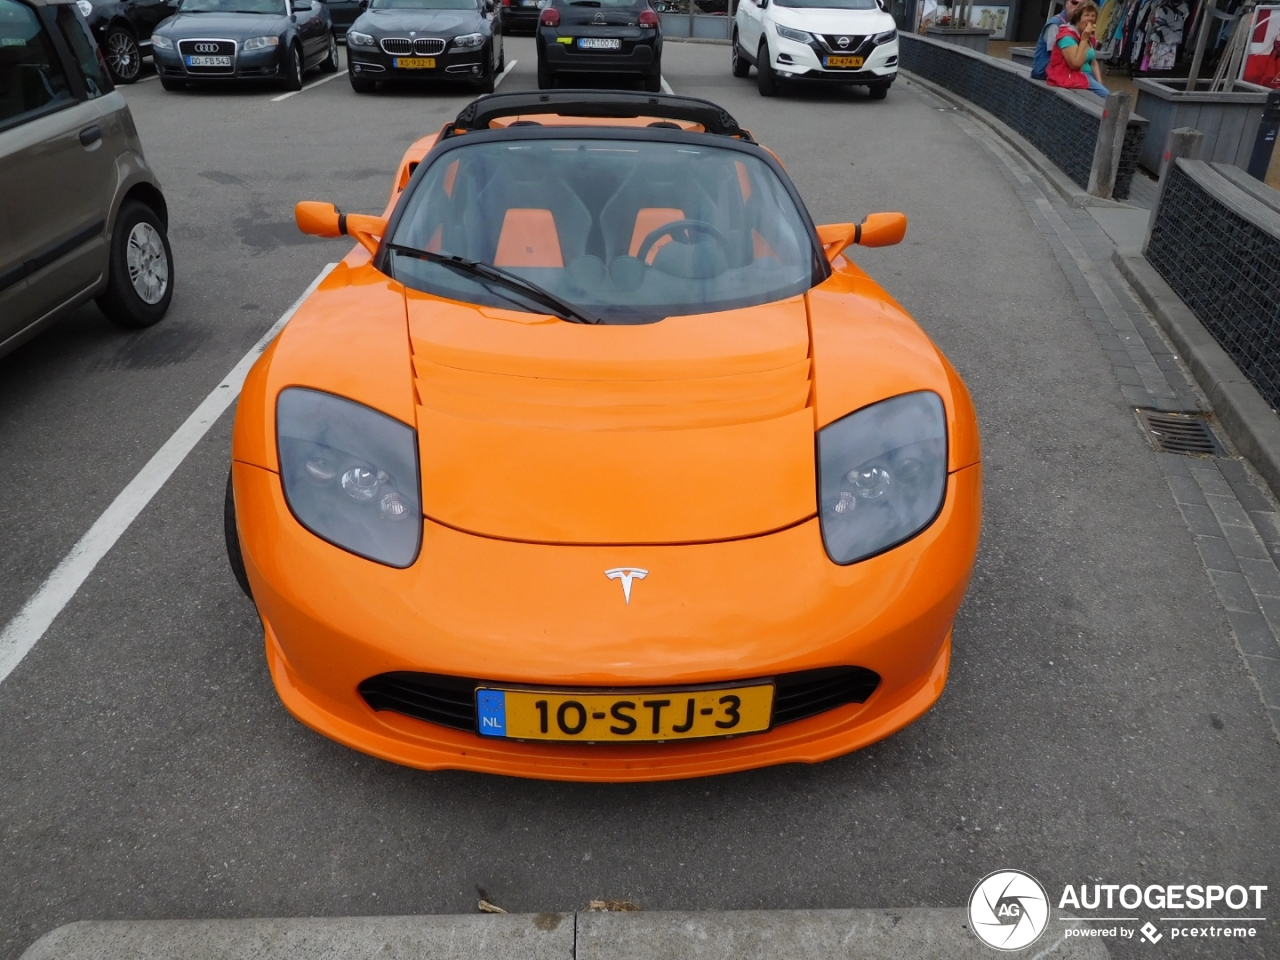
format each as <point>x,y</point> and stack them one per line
<point>350,476</point>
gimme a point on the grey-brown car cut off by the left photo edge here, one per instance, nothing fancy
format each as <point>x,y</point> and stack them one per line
<point>81,216</point>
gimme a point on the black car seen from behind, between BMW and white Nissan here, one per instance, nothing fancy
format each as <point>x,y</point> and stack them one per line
<point>600,36</point>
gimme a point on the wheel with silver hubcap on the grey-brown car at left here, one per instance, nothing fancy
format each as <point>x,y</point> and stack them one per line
<point>138,294</point>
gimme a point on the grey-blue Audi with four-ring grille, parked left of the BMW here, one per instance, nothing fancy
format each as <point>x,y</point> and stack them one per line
<point>223,40</point>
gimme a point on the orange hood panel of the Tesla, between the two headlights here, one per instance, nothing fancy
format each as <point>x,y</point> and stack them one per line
<point>693,429</point>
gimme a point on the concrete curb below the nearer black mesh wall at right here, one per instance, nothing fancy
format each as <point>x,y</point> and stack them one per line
<point>1249,420</point>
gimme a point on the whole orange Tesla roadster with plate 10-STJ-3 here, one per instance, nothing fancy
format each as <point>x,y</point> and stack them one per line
<point>597,460</point>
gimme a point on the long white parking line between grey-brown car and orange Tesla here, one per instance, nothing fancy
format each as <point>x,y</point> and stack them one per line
<point>36,616</point>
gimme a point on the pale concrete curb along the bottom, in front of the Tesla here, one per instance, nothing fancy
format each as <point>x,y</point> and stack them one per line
<point>916,934</point>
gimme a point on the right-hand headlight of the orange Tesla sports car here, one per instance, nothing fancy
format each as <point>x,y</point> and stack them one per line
<point>883,474</point>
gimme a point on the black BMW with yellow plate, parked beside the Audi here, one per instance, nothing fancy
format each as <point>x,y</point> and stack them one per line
<point>426,40</point>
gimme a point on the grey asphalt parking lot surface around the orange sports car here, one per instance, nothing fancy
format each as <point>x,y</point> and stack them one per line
<point>1099,724</point>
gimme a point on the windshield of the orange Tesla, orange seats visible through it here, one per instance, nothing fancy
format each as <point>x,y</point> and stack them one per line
<point>624,231</point>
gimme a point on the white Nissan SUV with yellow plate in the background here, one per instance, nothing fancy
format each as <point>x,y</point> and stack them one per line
<point>842,42</point>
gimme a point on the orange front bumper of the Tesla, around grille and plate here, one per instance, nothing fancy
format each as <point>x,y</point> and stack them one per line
<point>547,615</point>
